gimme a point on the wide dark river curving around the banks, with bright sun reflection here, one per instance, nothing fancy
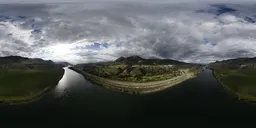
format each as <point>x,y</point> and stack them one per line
<point>75,100</point>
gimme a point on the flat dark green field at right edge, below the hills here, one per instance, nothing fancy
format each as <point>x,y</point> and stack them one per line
<point>241,82</point>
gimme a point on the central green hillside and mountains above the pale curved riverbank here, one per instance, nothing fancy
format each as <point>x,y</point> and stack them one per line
<point>137,69</point>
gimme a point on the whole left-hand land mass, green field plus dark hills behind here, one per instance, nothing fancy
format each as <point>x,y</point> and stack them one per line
<point>25,79</point>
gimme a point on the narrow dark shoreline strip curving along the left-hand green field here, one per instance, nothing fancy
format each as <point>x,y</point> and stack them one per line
<point>34,97</point>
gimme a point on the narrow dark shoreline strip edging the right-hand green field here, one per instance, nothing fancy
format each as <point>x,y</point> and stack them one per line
<point>232,92</point>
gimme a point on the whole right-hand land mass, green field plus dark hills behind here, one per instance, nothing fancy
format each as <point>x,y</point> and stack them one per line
<point>237,76</point>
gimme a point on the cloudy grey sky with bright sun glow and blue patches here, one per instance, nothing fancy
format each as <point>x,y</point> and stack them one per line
<point>103,31</point>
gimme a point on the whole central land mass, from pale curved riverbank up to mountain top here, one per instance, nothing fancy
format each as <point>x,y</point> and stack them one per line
<point>137,75</point>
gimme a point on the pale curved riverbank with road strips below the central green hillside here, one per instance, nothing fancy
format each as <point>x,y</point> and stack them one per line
<point>135,88</point>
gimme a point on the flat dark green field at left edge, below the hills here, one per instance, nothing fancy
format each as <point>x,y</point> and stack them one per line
<point>23,85</point>
